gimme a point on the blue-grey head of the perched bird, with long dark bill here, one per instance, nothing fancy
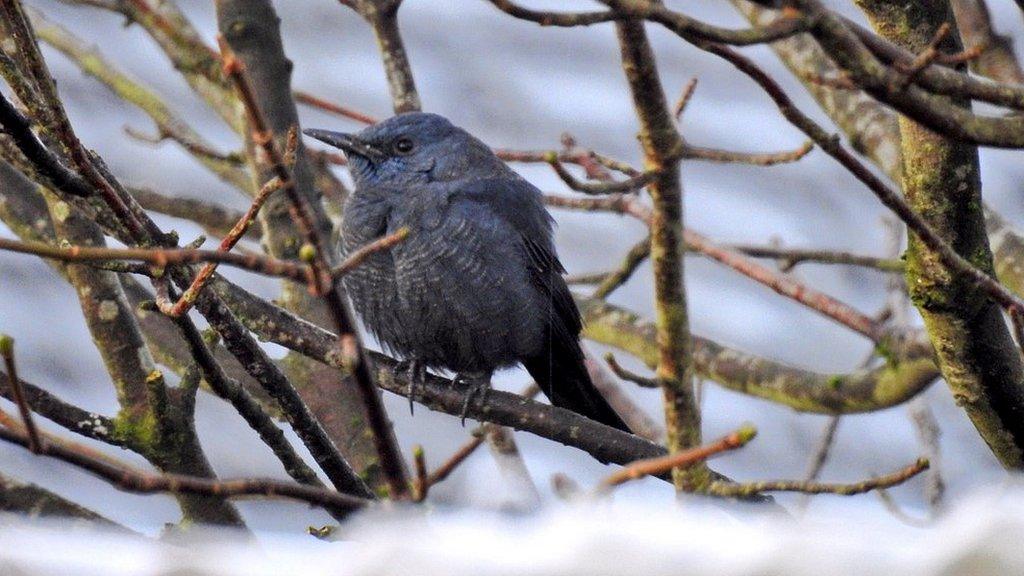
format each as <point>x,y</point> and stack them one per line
<point>411,148</point>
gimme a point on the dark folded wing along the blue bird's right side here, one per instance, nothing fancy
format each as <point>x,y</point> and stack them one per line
<point>521,205</point>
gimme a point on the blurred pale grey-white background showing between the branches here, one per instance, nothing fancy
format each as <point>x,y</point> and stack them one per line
<point>518,86</point>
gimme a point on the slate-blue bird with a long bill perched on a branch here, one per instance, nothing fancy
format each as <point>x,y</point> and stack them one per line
<point>478,285</point>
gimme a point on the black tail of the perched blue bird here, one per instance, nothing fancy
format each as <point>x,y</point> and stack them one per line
<point>563,377</point>
